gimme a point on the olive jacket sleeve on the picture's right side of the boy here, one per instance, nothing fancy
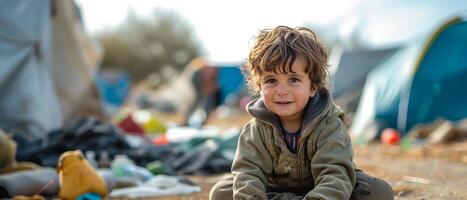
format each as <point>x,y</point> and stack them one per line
<point>332,167</point>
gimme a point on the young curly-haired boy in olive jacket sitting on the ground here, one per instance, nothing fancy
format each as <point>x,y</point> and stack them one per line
<point>296,146</point>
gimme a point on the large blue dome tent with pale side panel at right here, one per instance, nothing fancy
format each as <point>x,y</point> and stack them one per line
<point>424,81</point>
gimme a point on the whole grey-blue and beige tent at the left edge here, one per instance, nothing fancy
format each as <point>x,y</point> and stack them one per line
<point>47,65</point>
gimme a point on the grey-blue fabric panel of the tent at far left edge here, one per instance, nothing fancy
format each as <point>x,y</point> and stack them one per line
<point>29,100</point>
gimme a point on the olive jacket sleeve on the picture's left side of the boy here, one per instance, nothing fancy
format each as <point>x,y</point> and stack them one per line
<point>251,165</point>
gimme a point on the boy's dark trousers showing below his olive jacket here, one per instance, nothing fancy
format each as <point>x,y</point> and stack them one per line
<point>367,188</point>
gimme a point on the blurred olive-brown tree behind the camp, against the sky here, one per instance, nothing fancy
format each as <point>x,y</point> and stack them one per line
<point>161,45</point>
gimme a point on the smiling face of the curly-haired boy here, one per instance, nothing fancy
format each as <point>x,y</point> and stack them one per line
<point>287,94</point>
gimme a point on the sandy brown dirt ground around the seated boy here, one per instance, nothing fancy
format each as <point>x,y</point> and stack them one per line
<point>420,172</point>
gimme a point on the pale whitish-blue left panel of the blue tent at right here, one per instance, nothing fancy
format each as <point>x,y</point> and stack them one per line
<point>380,97</point>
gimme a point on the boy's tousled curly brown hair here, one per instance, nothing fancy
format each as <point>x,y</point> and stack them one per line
<point>275,50</point>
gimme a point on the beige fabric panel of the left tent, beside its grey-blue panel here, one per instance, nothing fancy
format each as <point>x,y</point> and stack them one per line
<point>74,64</point>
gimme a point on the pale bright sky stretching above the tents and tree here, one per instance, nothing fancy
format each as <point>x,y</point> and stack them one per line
<point>225,28</point>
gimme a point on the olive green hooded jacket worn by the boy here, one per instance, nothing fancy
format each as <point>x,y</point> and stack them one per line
<point>322,165</point>
